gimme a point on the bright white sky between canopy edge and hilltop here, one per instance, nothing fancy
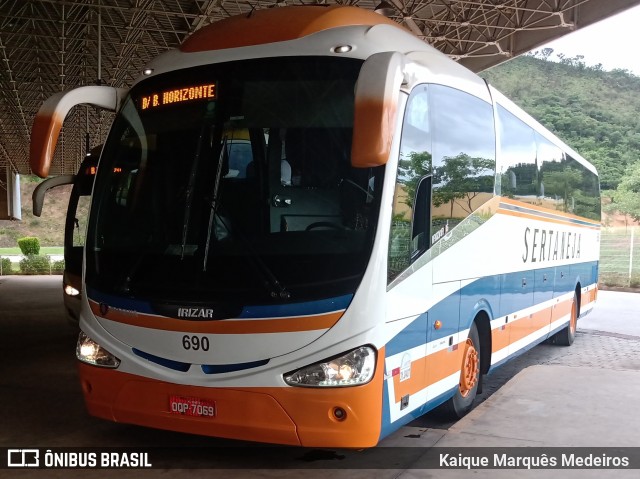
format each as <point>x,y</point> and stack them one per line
<point>612,42</point>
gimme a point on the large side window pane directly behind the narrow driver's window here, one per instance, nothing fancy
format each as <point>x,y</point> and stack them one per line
<point>463,157</point>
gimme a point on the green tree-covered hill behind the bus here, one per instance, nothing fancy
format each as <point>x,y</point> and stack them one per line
<point>592,110</point>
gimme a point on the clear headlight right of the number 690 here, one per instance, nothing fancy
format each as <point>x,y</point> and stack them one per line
<point>351,369</point>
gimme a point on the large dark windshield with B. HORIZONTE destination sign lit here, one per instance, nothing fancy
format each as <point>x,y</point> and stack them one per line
<point>234,180</point>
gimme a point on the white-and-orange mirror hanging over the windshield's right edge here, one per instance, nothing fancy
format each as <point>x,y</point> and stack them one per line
<point>376,108</point>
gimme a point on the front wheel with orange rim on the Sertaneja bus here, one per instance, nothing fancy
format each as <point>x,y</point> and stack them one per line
<point>460,404</point>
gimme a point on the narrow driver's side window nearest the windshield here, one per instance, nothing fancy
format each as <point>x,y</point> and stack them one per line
<point>410,227</point>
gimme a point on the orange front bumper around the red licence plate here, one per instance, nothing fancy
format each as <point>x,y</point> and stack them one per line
<point>281,415</point>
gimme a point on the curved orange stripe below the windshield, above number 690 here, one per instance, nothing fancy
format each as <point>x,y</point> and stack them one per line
<point>226,326</point>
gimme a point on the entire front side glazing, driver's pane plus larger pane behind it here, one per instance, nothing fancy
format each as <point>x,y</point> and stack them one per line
<point>446,169</point>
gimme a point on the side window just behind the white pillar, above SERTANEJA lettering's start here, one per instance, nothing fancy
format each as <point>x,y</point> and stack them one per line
<point>517,171</point>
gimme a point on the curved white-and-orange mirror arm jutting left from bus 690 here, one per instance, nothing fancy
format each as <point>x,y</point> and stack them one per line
<point>48,121</point>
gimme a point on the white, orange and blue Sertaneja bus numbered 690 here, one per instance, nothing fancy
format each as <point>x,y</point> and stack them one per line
<point>309,227</point>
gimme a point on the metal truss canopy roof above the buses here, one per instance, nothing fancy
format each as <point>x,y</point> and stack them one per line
<point>47,46</point>
